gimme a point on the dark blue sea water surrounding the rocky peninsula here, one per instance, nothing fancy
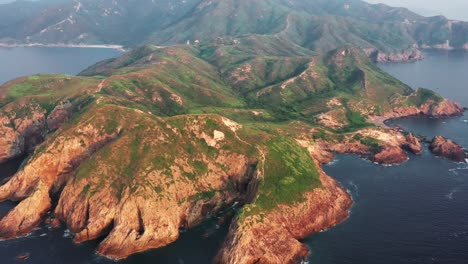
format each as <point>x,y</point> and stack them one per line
<point>416,212</point>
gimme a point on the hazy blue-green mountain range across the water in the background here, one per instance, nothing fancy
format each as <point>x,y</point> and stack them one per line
<point>319,25</point>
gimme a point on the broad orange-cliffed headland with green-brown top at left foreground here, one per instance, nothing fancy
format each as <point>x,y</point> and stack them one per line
<point>147,178</point>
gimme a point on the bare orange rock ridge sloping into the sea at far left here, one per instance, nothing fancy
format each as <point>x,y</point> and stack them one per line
<point>46,173</point>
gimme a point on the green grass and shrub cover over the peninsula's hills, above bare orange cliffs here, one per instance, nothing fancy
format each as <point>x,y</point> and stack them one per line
<point>172,83</point>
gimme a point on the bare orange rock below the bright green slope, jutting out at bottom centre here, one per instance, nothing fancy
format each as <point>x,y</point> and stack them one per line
<point>273,238</point>
